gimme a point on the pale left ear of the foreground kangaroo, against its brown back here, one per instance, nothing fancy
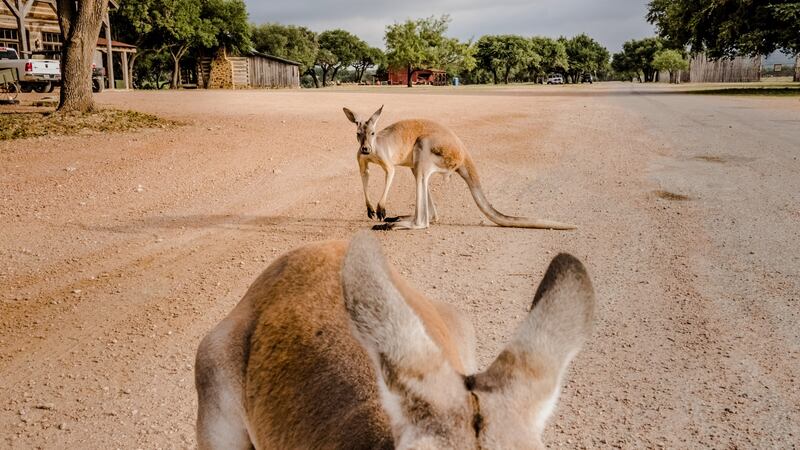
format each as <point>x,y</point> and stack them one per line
<point>382,319</point>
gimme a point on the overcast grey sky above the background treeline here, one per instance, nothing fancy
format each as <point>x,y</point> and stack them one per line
<point>612,22</point>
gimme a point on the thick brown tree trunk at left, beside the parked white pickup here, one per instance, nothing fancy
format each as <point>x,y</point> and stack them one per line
<point>80,26</point>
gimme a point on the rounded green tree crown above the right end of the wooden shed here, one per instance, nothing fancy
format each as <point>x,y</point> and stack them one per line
<point>287,41</point>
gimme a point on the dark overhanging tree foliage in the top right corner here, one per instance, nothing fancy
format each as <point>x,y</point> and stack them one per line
<point>728,28</point>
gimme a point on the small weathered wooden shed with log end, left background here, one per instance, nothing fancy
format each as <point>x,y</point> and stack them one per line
<point>256,70</point>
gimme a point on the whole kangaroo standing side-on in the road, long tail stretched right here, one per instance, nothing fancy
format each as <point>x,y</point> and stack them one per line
<point>427,148</point>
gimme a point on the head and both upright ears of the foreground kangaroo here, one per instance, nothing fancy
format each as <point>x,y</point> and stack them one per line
<point>430,405</point>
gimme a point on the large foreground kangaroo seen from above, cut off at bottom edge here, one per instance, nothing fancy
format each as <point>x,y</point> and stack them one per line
<point>330,348</point>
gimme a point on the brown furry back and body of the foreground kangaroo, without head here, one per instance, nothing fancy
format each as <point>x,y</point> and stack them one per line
<point>284,370</point>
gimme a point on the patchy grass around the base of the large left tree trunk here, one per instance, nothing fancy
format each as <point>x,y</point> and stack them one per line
<point>21,125</point>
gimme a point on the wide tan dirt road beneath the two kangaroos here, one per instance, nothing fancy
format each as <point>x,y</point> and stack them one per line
<point>118,252</point>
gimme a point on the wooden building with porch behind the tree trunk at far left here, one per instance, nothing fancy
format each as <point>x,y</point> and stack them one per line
<point>31,26</point>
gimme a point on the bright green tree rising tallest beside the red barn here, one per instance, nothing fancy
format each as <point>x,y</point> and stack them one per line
<point>415,44</point>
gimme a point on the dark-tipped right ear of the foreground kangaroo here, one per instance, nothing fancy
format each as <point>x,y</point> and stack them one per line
<point>532,365</point>
